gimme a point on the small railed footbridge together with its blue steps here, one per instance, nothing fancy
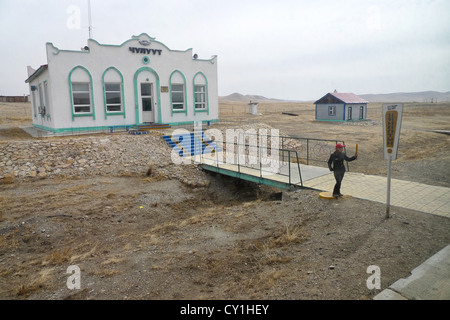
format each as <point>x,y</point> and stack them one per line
<point>254,159</point>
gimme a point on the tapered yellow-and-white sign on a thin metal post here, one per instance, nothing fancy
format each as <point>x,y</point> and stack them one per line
<point>392,120</point>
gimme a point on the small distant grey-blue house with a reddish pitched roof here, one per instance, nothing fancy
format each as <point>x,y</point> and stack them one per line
<point>337,106</point>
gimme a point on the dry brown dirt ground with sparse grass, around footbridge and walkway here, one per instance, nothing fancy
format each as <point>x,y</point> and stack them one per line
<point>137,237</point>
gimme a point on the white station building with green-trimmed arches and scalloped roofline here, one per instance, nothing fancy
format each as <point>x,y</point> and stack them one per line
<point>140,81</point>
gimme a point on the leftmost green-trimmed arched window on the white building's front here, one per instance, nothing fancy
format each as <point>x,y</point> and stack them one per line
<point>81,93</point>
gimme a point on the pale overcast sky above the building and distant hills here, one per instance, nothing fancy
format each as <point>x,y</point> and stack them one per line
<point>286,49</point>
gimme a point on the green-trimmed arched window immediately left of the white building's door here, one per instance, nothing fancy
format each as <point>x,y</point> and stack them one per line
<point>113,97</point>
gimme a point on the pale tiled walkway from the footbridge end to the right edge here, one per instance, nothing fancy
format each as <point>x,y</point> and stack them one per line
<point>406,194</point>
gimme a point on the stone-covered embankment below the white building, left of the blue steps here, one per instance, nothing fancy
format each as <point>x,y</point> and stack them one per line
<point>118,154</point>
